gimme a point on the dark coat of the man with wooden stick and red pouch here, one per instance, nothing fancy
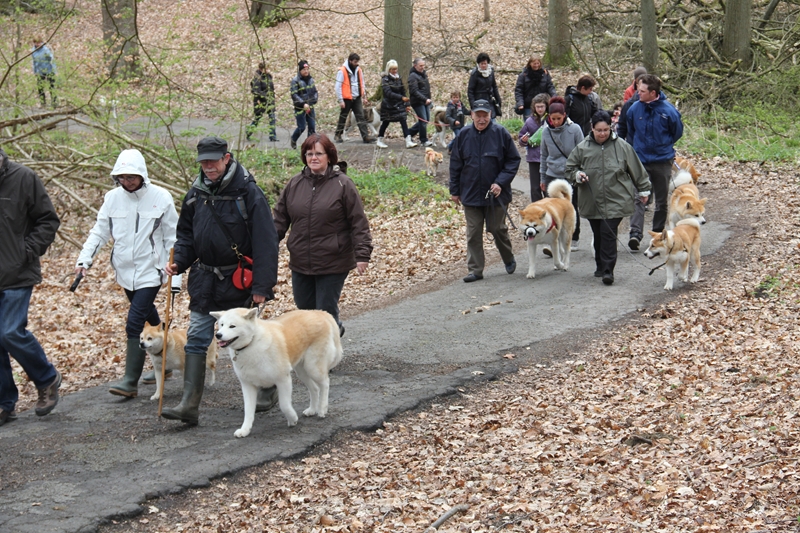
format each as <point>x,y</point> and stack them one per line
<point>202,243</point>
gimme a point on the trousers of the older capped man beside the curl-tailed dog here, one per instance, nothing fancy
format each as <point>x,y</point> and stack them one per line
<point>493,219</point>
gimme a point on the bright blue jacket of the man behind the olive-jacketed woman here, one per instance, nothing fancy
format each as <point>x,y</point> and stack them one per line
<point>653,130</point>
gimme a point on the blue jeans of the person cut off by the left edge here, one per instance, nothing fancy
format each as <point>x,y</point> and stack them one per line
<point>20,343</point>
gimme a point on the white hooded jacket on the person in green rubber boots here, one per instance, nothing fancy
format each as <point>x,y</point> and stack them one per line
<point>142,224</point>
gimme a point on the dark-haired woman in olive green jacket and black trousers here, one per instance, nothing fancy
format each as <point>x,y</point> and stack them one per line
<point>607,173</point>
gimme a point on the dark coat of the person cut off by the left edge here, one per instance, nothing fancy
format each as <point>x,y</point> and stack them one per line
<point>28,224</point>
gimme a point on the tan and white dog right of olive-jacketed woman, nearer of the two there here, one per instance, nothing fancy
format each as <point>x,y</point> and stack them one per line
<point>678,247</point>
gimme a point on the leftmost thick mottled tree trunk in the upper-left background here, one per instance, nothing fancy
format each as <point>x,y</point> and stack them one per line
<point>119,34</point>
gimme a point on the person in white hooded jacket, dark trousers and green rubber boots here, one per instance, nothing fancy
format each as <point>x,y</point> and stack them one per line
<point>141,218</point>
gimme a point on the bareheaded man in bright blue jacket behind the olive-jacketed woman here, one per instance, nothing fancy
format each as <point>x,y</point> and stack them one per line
<point>654,126</point>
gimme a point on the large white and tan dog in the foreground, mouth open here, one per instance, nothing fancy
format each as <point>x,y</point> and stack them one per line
<point>264,352</point>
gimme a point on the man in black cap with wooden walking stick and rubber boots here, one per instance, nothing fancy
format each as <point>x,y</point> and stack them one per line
<point>224,211</point>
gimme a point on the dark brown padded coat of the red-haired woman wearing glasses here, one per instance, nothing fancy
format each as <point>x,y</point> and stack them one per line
<point>329,230</point>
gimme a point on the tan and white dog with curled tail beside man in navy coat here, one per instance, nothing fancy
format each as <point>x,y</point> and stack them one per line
<point>550,221</point>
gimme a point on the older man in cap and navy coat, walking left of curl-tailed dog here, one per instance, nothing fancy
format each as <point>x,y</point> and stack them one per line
<point>483,163</point>
